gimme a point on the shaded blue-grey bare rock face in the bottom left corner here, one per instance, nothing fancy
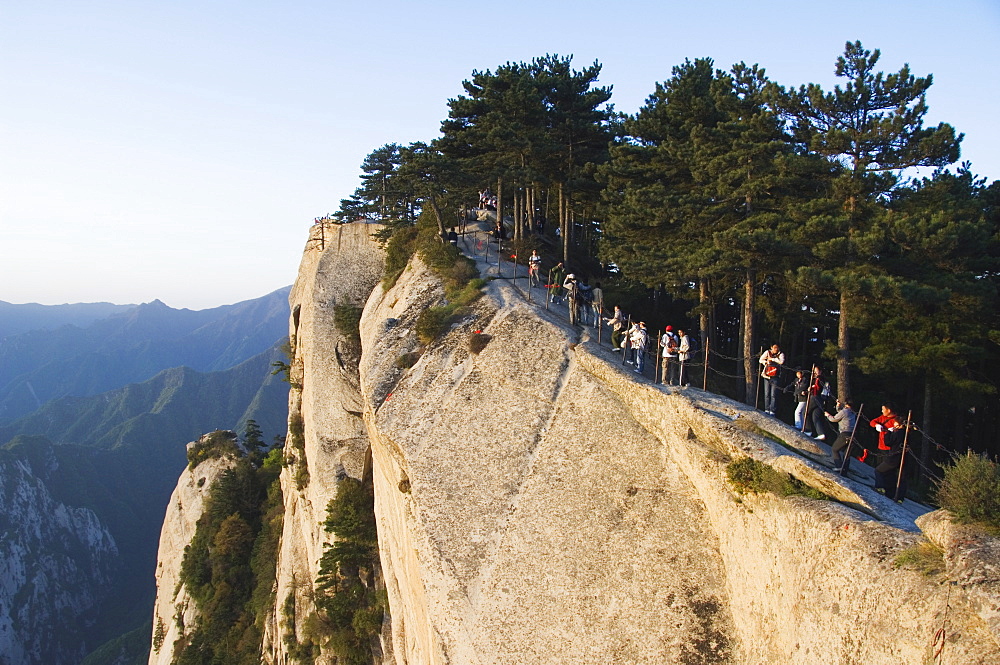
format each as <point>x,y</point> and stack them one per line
<point>61,587</point>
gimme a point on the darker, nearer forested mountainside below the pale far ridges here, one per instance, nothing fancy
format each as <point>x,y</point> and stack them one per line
<point>117,456</point>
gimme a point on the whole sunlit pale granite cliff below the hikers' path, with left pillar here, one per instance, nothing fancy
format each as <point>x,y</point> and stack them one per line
<point>537,504</point>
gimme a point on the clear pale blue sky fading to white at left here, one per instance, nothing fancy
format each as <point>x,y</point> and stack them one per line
<point>180,150</point>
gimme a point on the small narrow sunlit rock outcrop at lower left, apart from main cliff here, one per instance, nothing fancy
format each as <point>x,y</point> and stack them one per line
<point>175,613</point>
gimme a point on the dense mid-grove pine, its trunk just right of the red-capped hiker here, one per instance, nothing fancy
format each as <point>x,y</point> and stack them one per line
<point>659,228</point>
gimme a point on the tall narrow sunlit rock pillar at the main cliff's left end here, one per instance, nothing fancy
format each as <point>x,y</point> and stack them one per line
<point>327,440</point>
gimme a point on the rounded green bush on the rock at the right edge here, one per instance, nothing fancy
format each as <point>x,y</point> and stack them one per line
<point>970,489</point>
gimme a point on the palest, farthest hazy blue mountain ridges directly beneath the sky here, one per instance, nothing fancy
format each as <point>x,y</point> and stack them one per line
<point>132,346</point>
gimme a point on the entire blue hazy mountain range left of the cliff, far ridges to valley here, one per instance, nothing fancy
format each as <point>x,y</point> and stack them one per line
<point>85,478</point>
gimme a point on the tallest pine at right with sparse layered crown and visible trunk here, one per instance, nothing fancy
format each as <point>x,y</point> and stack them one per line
<point>873,126</point>
